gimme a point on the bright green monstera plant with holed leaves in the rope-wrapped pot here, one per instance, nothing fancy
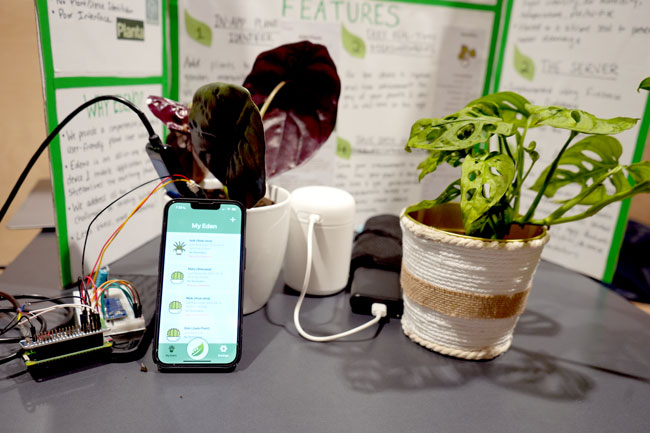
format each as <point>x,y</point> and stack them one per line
<point>488,141</point>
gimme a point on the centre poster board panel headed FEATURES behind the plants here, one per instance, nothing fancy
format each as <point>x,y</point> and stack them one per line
<point>397,62</point>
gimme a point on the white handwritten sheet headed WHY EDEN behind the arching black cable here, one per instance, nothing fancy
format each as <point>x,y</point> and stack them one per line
<point>102,157</point>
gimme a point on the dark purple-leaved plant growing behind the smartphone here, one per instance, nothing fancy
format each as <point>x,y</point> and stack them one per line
<point>283,113</point>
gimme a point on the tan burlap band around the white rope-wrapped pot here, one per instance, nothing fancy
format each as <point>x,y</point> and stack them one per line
<point>462,304</point>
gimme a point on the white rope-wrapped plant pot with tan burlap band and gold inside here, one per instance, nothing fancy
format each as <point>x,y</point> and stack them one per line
<point>464,295</point>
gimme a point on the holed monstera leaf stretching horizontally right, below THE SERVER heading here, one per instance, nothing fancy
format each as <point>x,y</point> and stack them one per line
<point>578,120</point>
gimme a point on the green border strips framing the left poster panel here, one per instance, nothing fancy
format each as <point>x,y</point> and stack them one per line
<point>51,85</point>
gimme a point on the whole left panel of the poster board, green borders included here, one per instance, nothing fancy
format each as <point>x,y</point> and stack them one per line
<point>90,49</point>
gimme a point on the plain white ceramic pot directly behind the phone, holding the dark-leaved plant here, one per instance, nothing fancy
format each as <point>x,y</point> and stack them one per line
<point>267,231</point>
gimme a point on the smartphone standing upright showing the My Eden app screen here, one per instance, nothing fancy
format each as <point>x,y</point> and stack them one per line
<point>200,283</point>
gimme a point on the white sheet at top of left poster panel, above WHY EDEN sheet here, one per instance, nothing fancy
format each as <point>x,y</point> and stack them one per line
<point>119,38</point>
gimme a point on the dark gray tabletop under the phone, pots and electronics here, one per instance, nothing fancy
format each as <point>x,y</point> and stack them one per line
<point>580,362</point>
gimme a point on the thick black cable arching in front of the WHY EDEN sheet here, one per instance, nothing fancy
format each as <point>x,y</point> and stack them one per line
<point>152,138</point>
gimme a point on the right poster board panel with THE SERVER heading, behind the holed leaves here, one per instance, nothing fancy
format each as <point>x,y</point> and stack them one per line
<point>588,55</point>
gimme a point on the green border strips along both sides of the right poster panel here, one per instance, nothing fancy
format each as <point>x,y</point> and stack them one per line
<point>621,223</point>
